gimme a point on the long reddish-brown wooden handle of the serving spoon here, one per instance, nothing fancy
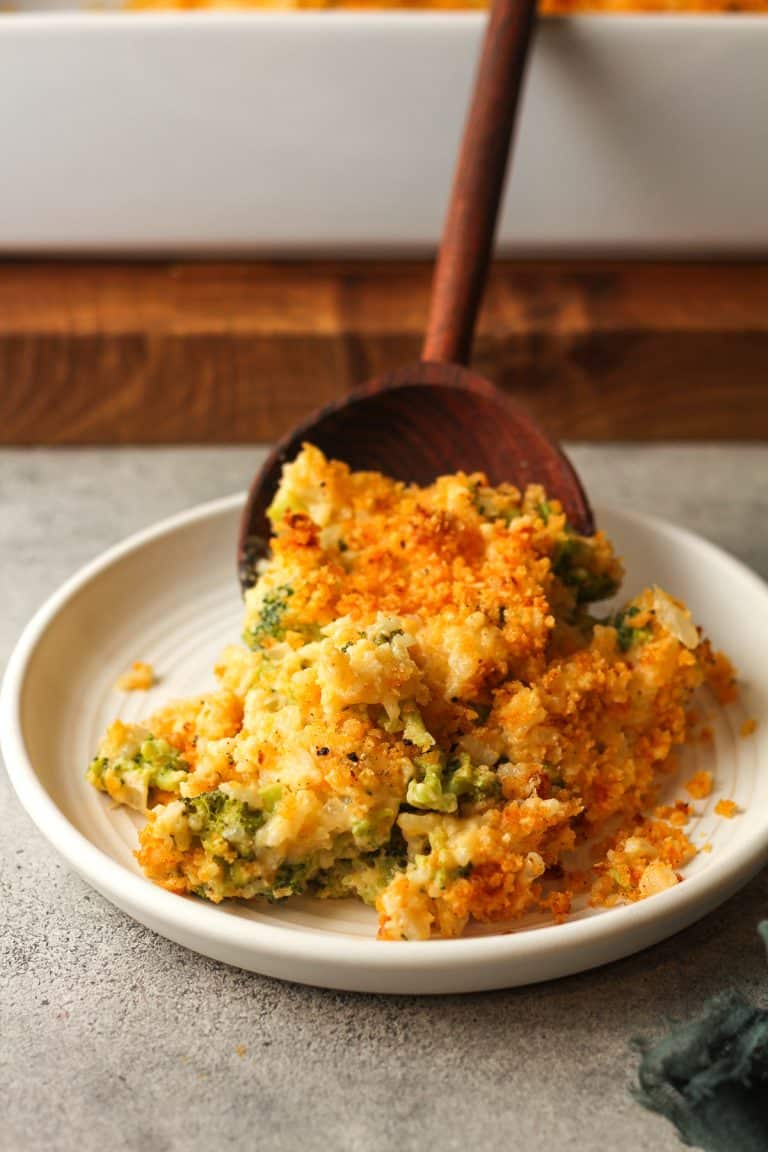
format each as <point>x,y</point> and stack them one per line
<point>478,183</point>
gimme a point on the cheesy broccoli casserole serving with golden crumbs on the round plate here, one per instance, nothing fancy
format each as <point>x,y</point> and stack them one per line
<point>427,715</point>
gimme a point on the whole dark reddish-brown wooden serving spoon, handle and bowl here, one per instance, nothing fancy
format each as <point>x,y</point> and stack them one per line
<point>436,416</point>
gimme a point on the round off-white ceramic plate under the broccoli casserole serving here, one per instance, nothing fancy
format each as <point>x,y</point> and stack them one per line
<point>170,596</point>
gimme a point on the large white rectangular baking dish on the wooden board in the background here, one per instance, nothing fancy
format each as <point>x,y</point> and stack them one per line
<point>288,133</point>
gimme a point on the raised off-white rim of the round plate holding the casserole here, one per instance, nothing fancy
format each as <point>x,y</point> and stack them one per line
<point>668,912</point>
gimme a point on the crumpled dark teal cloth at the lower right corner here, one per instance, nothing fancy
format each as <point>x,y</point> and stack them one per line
<point>710,1077</point>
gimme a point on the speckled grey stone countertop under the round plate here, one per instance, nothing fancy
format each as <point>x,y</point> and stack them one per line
<point>112,1039</point>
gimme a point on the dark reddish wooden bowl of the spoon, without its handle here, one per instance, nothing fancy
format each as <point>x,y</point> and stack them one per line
<point>416,425</point>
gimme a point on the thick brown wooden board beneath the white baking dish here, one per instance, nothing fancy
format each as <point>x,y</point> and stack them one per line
<point>165,353</point>
